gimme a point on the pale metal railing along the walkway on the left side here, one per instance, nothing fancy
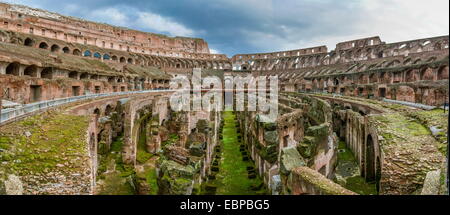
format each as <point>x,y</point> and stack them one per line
<point>12,113</point>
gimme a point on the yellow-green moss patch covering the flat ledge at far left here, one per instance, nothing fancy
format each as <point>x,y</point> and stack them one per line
<point>55,139</point>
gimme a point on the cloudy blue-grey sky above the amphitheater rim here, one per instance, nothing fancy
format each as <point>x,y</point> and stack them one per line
<point>251,26</point>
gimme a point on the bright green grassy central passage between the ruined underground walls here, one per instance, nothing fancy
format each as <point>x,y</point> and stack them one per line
<point>234,177</point>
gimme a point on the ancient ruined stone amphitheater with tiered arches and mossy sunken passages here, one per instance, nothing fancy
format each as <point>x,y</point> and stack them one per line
<point>85,110</point>
